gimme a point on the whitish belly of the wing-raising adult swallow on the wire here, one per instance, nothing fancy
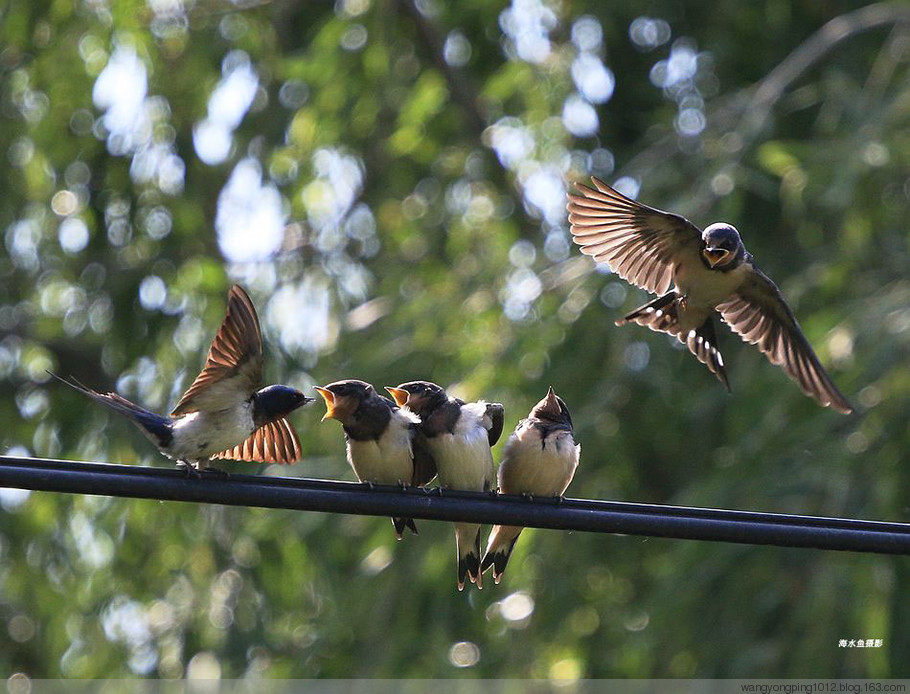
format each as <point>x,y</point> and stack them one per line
<point>199,435</point>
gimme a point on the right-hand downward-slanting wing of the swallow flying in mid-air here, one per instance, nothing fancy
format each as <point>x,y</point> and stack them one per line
<point>759,314</point>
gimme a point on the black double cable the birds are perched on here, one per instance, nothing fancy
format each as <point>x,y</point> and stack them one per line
<point>655,520</point>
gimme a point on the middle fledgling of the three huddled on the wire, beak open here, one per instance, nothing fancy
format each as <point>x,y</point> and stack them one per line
<point>458,435</point>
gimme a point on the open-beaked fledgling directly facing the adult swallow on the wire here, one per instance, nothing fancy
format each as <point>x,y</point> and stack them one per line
<point>380,439</point>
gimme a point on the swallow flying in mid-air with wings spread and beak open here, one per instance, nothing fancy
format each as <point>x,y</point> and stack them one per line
<point>711,271</point>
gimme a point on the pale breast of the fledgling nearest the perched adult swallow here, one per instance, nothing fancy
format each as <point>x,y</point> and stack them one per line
<point>389,459</point>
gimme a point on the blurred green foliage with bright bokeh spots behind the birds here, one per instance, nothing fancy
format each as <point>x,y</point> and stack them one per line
<point>388,180</point>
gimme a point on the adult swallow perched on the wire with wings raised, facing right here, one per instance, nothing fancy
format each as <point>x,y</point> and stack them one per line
<point>225,413</point>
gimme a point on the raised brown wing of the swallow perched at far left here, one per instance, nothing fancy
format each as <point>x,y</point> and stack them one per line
<point>233,368</point>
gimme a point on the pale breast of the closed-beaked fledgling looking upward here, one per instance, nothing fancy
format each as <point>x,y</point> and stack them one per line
<point>541,470</point>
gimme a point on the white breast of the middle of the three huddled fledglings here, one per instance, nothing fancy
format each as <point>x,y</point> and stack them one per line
<point>463,458</point>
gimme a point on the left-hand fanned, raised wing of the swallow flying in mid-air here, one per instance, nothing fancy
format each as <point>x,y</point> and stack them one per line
<point>640,244</point>
